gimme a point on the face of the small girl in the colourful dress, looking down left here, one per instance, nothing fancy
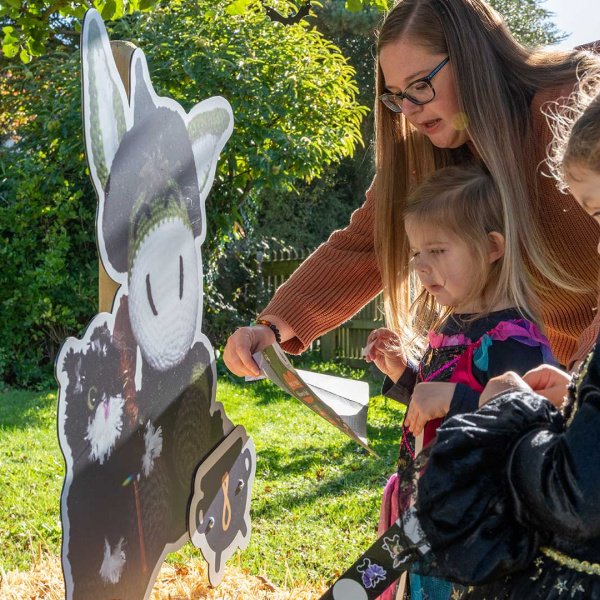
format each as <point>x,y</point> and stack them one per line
<point>445,265</point>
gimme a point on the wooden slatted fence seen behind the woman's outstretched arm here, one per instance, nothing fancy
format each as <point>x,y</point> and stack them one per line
<point>345,342</point>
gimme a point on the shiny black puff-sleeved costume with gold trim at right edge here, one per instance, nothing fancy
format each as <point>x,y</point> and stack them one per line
<point>521,511</point>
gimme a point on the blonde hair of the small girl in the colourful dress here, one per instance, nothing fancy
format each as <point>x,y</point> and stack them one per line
<point>465,202</point>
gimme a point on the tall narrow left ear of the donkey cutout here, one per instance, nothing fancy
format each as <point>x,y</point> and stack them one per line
<point>105,107</point>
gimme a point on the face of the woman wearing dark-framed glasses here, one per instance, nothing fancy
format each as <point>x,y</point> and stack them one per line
<point>441,120</point>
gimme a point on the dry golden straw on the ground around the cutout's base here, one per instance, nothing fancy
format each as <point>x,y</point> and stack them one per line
<point>175,582</point>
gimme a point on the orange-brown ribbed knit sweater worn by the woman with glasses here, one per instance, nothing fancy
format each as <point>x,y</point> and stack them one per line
<point>342,275</point>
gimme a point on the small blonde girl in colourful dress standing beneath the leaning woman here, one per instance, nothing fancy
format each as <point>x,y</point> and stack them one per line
<point>473,304</point>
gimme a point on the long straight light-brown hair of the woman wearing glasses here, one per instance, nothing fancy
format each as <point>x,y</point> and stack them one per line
<point>494,93</point>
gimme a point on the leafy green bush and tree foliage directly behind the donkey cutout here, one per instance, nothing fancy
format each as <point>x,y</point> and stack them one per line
<point>293,98</point>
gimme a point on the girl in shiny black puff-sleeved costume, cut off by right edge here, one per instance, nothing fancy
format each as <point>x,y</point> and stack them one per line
<point>520,511</point>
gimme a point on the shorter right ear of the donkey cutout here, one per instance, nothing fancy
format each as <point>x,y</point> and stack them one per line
<point>209,126</point>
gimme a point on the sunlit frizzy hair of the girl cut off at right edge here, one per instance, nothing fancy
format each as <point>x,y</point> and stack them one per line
<point>576,129</point>
